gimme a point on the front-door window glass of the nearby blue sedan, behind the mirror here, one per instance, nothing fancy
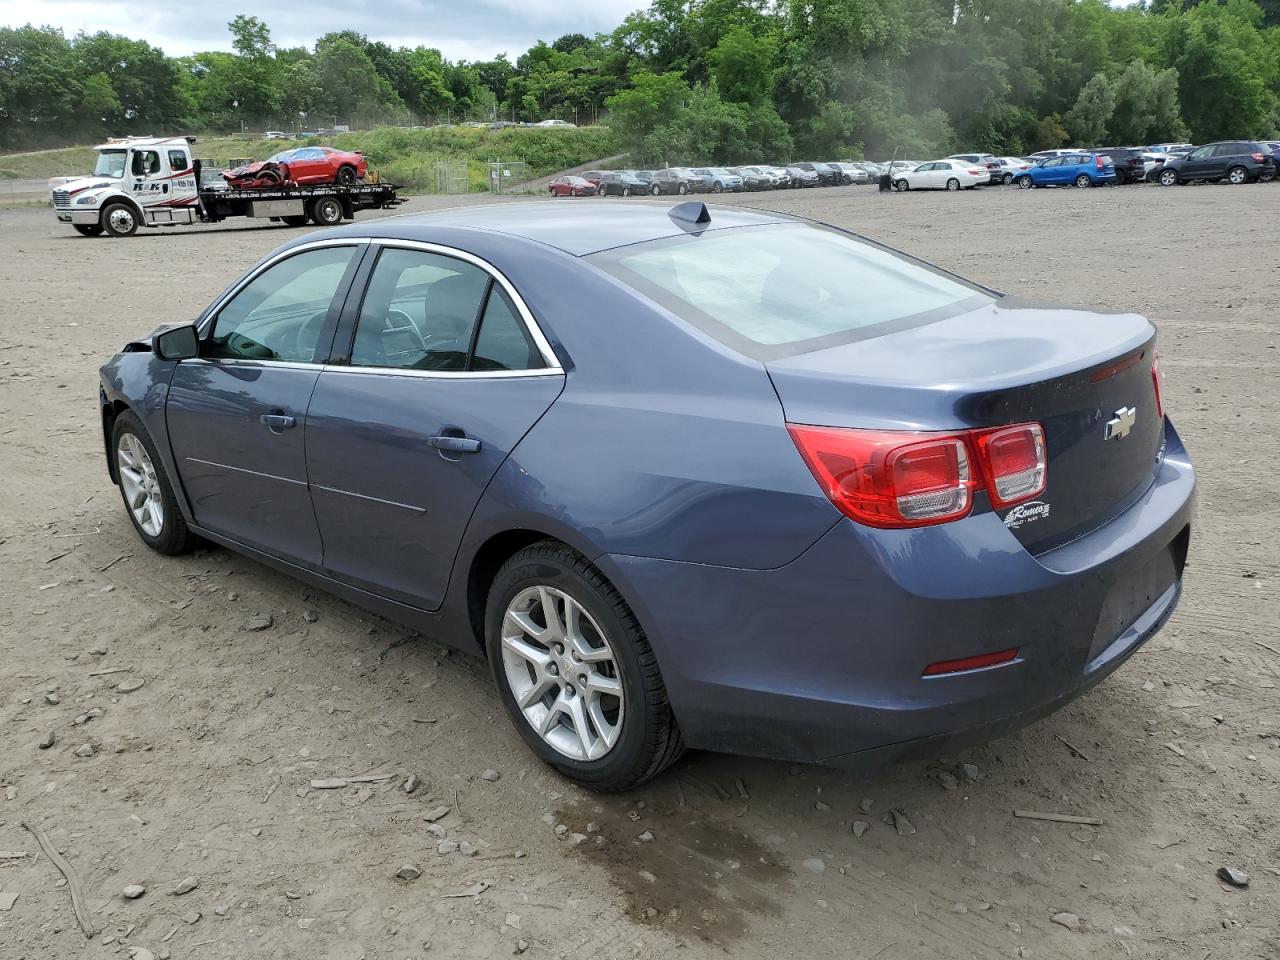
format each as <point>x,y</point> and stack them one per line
<point>281,313</point>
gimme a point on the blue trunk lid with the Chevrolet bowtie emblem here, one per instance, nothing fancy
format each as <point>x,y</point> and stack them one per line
<point>1085,377</point>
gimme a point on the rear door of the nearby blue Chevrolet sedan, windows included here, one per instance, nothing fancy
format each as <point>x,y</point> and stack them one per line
<point>446,374</point>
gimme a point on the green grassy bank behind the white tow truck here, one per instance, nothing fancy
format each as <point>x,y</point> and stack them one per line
<point>401,156</point>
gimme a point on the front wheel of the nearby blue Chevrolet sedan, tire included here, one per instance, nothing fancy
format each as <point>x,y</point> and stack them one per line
<point>147,490</point>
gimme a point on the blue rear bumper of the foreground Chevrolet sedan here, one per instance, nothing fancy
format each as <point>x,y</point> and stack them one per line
<point>822,660</point>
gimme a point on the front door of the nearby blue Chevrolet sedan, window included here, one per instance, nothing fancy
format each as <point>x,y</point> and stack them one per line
<point>236,414</point>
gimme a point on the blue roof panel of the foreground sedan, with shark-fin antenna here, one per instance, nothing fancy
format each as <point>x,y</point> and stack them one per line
<point>577,230</point>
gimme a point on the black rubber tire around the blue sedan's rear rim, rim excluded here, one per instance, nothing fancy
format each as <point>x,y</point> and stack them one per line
<point>650,740</point>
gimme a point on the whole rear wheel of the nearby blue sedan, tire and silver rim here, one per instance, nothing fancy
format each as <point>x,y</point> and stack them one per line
<point>575,671</point>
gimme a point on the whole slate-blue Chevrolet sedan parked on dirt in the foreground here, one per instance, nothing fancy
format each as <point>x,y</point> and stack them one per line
<point>697,478</point>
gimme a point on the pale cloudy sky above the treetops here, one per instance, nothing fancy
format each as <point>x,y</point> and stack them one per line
<point>473,30</point>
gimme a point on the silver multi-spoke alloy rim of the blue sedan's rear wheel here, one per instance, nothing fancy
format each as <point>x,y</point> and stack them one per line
<point>563,673</point>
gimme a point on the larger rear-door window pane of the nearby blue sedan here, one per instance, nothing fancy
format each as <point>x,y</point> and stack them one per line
<point>419,313</point>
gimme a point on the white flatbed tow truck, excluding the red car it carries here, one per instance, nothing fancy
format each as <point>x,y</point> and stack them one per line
<point>158,182</point>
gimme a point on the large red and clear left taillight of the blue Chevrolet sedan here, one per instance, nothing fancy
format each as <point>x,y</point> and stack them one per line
<point>898,481</point>
